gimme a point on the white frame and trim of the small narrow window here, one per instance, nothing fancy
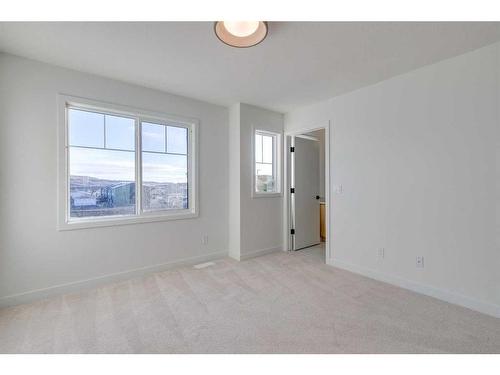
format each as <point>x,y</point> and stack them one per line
<point>276,164</point>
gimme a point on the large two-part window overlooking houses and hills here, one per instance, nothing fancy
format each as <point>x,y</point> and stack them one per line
<point>123,166</point>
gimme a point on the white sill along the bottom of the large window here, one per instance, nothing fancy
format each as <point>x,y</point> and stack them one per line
<point>124,220</point>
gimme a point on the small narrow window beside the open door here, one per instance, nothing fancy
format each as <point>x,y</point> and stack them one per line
<point>266,168</point>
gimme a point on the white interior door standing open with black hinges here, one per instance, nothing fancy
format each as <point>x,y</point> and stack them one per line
<point>305,196</point>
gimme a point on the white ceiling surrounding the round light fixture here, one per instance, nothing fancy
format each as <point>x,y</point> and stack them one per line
<point>299,63</point>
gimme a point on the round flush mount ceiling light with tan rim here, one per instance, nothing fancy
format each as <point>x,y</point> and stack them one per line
<point>241,34</point>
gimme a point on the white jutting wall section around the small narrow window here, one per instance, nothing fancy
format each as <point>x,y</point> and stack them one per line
<point>256,224</point>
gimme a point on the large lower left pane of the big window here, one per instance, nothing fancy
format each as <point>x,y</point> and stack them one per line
<point>101,182</point>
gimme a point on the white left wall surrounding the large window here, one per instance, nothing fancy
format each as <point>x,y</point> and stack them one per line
<point>33,254</point>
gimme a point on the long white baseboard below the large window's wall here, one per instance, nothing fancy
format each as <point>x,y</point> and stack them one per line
<point>38,294</point>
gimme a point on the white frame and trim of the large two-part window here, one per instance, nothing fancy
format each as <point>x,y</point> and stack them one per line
<point>141,216</point>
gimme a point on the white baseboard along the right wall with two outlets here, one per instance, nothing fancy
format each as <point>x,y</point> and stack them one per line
<point>445,295</point>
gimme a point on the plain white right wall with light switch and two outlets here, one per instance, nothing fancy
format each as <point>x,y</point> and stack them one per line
<point>416,158</point>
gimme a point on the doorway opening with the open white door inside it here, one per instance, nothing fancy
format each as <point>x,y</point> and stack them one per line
<point>307,214</point>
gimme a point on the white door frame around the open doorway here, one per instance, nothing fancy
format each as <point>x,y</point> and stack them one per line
<point>286,173</point>
